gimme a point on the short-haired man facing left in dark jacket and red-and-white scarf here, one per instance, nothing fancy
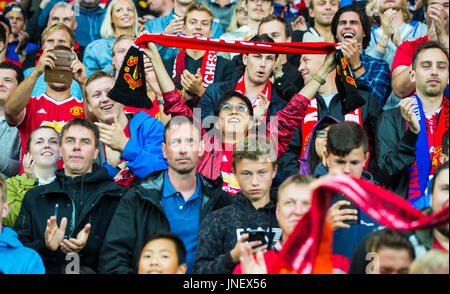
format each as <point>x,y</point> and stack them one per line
<point>326,101</point>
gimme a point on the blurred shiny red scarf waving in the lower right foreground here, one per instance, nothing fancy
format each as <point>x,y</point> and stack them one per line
<point>304,250</point>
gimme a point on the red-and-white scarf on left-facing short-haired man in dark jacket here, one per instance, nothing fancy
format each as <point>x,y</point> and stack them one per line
<point>311,119</point>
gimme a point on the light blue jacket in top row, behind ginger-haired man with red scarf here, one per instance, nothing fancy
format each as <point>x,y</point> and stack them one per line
<point>157,26</point>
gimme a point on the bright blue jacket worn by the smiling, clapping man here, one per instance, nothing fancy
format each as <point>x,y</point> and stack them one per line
<point>143,151</point>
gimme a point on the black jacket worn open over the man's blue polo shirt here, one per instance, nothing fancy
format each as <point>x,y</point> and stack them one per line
<point>140,213</point>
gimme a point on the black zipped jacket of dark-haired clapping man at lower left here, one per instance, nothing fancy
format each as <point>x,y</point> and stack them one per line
<point>90,198</point>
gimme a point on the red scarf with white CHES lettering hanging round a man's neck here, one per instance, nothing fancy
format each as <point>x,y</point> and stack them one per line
<point>207,70</point>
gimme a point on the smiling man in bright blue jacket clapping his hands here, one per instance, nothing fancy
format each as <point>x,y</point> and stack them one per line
<point>131,148</point>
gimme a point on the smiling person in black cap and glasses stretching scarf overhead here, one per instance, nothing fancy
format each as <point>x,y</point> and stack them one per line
<point>236,117</point>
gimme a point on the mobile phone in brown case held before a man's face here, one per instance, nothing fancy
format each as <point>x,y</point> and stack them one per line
<point>62,73</point>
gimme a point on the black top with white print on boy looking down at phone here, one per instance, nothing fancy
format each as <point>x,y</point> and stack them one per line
<point>221,229</point>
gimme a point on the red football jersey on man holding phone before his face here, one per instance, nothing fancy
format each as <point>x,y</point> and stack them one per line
<point>45,110</point>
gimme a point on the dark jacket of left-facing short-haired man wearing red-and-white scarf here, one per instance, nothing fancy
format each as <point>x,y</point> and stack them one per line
<point>370,112</point>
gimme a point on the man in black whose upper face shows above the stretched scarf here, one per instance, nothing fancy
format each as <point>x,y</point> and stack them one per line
<point>286,78</point>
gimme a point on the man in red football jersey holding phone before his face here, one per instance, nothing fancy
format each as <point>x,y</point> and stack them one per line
<point>56,105</point>
